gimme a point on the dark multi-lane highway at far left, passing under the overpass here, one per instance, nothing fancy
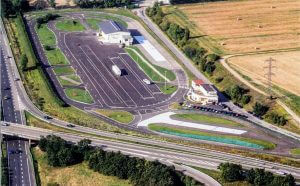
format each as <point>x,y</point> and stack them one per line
<point>20,169</point>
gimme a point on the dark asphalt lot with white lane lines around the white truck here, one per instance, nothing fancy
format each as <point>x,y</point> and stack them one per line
<point>93,60</point>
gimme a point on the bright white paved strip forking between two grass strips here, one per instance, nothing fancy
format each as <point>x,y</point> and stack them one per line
<point>166,119</point>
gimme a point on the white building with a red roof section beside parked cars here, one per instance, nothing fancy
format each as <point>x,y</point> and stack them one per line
<point>203,93</point>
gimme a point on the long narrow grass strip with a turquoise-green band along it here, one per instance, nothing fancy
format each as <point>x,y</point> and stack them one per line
<point>227,139</point>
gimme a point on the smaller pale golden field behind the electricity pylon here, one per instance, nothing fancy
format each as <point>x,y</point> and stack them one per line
<point>287,71</point>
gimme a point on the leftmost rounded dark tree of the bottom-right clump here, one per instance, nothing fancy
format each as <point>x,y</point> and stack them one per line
<point>231,172</point>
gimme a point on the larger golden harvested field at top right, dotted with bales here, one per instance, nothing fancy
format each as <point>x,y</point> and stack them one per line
<point>248,26</point>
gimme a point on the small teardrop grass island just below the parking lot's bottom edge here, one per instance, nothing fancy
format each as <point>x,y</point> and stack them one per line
<point>118,115</point>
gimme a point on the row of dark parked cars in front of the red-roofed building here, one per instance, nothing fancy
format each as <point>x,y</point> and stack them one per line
<point>224,109</point>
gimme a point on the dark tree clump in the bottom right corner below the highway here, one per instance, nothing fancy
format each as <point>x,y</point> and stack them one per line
<point>233,172</point>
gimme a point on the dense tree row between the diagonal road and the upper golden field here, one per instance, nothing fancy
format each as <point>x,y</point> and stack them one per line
<point>181,37</point>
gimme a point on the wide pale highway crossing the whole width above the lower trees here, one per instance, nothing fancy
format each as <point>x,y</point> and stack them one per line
<point>161,151</point>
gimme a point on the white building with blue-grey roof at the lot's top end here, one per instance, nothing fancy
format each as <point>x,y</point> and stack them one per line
<point>115,33</point>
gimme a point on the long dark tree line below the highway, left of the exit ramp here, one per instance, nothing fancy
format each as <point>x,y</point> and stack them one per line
<point>60,153</point>
